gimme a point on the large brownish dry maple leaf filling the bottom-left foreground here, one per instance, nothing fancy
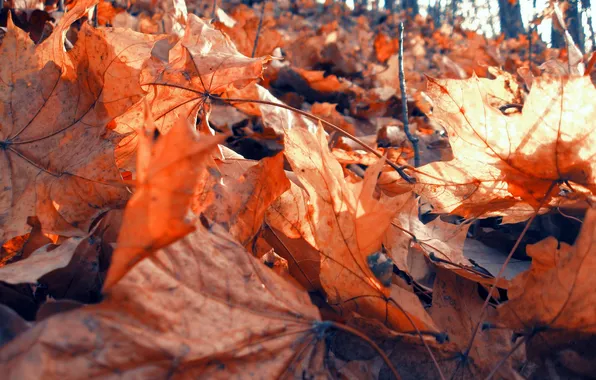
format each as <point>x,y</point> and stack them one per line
<point>202,307</point>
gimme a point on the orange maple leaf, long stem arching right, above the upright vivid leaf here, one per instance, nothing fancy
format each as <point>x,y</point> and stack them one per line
<point>203,62</point>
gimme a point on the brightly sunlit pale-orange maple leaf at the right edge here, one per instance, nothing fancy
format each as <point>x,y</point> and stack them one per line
<point>506,162</point>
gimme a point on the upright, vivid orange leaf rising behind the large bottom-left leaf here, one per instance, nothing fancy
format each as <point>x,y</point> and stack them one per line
<point>167,171</point>
